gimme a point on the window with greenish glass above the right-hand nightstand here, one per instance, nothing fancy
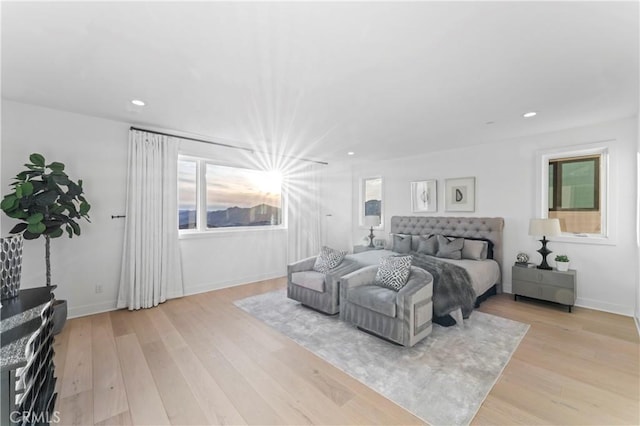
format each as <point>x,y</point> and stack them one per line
<point>574,190</point>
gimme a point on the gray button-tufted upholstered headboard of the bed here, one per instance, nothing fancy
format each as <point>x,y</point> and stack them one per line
<point>489,228</point>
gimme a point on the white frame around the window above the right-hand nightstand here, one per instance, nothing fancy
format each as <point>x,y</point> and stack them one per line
<point>605,150</point>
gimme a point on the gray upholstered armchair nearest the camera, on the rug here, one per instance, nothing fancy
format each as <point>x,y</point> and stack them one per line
<point>403,317</point>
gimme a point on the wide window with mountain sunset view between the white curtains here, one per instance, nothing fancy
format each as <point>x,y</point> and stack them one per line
<point>213,196</point>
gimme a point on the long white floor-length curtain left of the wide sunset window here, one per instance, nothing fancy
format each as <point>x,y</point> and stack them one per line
<point>151,265</point>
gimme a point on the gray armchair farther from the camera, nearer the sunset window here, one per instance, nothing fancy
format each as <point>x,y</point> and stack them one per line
<point>315,289</point>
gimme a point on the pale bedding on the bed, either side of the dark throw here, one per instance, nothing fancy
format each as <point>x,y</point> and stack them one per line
<point>484,273</point>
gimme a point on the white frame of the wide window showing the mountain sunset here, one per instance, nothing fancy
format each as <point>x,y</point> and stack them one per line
<point>201,228</point>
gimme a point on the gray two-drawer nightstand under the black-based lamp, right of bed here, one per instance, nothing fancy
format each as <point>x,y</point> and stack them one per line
<point>550,285</point>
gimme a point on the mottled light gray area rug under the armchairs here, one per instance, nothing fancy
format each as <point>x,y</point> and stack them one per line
<point>443,380</point>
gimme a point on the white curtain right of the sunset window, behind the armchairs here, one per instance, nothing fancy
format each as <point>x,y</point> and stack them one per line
<point>304,212</point>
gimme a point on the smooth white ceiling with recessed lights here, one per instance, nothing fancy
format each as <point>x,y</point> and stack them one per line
<point>319,79</point>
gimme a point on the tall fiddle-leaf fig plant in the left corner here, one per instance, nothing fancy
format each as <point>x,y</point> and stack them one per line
<point>47,203</point>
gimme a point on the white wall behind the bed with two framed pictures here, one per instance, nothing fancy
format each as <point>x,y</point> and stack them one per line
<point>505,186</point>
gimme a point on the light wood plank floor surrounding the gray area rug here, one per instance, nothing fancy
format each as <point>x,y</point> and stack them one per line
<point>201,360</point>
